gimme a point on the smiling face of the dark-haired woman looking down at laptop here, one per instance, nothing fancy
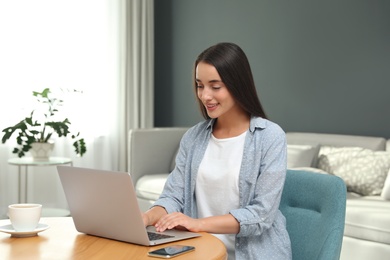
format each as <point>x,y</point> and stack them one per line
<point>212,91</point>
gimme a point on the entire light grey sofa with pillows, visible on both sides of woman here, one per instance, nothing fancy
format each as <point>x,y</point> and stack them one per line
<point>367,225</point>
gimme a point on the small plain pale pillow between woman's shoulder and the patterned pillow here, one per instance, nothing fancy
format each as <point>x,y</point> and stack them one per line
<point>301,155</point>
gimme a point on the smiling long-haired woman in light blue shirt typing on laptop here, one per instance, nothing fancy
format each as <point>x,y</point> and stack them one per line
<point>230,169</point>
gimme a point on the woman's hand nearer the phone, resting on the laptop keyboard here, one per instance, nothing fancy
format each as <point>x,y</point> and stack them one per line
<point>179,221</point>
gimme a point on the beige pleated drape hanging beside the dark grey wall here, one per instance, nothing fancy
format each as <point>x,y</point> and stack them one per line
<point>138,69</point>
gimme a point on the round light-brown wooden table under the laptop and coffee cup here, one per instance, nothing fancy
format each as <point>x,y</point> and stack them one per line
<point>62,241</point>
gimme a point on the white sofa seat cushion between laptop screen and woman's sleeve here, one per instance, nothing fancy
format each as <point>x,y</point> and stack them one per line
<point>151,186</point>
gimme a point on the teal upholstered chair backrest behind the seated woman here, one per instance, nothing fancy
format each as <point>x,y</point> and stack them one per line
<point>314,207</point>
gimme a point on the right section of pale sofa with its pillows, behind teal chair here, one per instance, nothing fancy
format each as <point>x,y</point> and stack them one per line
<point>359,160</point>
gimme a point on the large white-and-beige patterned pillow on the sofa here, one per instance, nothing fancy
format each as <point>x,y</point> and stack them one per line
<point>364,171</point>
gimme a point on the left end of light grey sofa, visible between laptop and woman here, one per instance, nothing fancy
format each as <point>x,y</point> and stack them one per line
<point>151,158</point>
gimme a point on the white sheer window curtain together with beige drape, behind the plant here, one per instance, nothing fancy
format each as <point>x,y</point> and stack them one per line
<point>103,48</point>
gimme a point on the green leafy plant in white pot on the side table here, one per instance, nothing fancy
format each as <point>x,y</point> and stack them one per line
<point>39,127</point>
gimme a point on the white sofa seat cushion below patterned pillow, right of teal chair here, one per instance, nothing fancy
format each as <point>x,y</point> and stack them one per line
<point>367,218</point>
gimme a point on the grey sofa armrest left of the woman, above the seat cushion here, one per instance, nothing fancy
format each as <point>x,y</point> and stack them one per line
<point>151,150</point>
